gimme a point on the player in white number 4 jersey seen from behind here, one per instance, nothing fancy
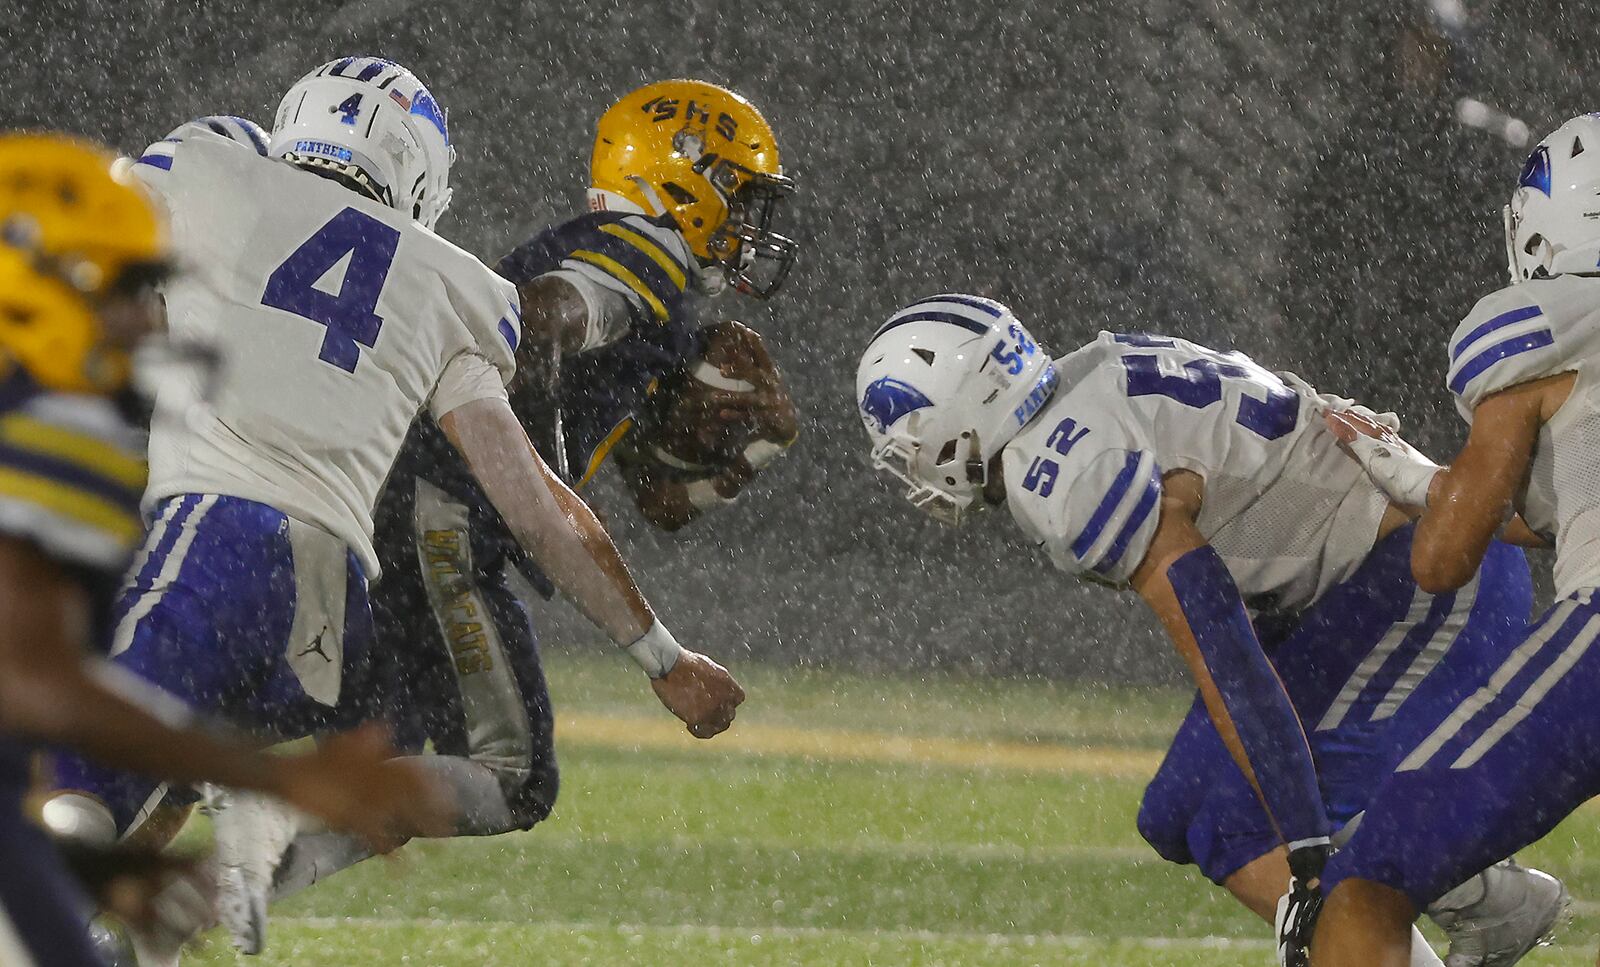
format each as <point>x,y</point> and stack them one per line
<point>340,315</point>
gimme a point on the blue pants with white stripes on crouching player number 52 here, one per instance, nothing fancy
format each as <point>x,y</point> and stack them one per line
<point>1366,667</point>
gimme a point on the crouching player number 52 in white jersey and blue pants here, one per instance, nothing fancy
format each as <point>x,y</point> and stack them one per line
<point>1209,486</point>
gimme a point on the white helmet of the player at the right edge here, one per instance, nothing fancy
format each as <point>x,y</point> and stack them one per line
<point>1556,207</point>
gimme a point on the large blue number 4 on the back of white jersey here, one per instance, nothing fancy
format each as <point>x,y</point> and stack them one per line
<point>351,316</point>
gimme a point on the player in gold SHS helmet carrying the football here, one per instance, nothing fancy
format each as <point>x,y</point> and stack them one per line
<point>686,185</point>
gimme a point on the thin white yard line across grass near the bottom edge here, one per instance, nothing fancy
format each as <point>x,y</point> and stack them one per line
<point>1065,941</point>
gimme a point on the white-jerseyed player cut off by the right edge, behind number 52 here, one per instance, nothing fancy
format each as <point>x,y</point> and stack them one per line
<point>1516,756</point>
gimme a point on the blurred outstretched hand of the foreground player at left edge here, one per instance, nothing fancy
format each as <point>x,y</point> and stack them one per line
<point>354,784</point>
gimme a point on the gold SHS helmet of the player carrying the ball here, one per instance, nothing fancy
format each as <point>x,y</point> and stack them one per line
<point>708,158</point>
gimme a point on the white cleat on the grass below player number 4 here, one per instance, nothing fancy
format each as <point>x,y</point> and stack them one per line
<point>254,833</point>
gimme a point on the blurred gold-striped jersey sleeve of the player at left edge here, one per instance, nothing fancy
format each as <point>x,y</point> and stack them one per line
<point>71,476</point>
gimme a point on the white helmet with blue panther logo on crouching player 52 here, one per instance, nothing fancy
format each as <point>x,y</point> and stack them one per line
<point>942,388</point>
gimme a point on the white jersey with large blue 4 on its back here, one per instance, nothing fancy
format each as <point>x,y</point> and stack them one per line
<point>338,319</point>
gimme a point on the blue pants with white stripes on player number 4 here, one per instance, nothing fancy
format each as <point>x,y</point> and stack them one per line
<point>247,617</point>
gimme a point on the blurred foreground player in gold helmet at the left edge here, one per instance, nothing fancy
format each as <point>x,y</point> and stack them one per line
<point>81,252</point>
